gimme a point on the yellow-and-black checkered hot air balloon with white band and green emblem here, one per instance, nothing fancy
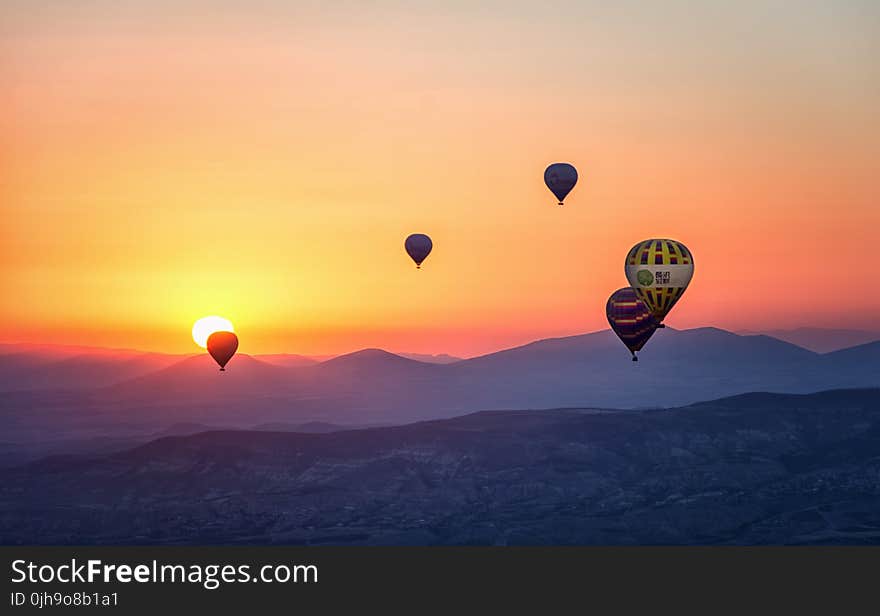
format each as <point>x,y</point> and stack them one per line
<point>659,270</point>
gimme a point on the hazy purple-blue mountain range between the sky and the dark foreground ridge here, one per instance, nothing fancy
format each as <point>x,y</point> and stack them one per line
<point>71,396</point>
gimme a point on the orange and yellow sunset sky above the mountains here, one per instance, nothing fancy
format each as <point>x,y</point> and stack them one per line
<point>264,161</point>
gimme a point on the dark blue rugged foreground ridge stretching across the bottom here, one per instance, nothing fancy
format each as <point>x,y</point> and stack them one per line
<point>752,469</point>
